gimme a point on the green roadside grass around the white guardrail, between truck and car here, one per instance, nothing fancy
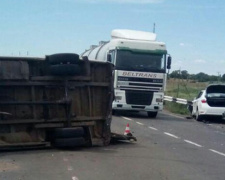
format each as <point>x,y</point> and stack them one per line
<point>182,89</point>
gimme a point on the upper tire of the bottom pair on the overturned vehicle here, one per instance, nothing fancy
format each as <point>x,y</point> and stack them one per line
<point>69,132</point>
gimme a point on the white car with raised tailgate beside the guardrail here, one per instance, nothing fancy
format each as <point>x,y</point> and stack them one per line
<point>209,102</point>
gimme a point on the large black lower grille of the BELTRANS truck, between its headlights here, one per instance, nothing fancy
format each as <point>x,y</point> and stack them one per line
<point>139,97</point>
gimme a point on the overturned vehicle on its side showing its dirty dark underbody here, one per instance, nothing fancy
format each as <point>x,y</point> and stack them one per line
<point>59,100</point>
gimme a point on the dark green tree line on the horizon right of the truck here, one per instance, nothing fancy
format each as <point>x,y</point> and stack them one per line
<point>201,77</point>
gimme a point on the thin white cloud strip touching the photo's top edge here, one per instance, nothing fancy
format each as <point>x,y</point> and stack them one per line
<point>125,1</point>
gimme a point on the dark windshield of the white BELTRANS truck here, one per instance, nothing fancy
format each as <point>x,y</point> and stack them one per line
<point>135,61</point>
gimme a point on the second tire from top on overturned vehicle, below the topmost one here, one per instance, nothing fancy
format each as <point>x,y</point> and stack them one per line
<point>65,69</point>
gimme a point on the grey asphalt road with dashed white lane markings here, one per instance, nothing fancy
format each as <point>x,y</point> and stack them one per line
<point>168,147</point>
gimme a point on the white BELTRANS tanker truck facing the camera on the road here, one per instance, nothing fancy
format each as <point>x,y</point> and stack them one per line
<point>140,69</point>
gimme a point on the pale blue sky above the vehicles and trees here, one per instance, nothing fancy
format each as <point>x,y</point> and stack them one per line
<point>194,31</point>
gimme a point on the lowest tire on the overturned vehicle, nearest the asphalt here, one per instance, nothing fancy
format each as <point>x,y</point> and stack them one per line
<point>69,142</point>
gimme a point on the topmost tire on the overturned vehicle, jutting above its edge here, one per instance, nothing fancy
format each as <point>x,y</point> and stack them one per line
<point>63,58</point>
